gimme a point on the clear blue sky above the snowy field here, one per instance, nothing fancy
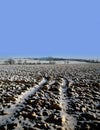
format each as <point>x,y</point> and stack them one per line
<point>65,28</point>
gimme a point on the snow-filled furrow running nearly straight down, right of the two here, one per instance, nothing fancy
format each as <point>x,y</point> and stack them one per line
<point>68,122</point>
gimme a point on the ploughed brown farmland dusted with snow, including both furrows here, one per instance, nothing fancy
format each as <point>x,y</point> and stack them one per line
<point>55,97</point>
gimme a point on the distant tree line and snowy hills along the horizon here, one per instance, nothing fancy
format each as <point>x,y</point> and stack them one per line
<point>50,60</point>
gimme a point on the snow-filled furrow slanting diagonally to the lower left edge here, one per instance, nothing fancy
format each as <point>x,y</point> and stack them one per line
<point>20,103</point>
